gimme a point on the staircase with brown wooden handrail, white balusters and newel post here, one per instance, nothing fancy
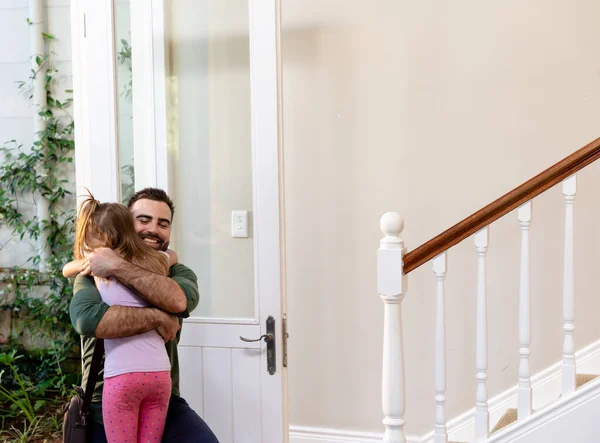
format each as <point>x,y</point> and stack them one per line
<point>579,393</point>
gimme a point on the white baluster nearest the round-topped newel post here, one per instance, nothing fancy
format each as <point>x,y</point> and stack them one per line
<point>440,432</point>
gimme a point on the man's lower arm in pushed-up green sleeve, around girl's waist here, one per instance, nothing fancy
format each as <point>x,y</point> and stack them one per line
<point>92,317</point>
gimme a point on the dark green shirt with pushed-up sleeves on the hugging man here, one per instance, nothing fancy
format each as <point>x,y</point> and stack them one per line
<point>87,309</point>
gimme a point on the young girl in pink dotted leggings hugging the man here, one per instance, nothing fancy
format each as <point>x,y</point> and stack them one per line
<point>137,371</point>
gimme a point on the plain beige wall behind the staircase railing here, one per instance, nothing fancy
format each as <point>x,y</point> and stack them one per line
<point>431,109</point>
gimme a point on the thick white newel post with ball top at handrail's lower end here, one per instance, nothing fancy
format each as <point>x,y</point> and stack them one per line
<point>391,285</point>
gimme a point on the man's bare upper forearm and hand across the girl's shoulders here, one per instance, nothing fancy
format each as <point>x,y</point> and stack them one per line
<point>159,290</point>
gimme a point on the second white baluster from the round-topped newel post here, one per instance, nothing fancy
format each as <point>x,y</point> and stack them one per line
<point>482,417</point>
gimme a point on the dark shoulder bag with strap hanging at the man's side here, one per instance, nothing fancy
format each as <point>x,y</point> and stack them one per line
<point>75,421</point>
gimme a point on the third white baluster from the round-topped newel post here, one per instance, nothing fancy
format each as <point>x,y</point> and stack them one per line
<point>524,392</point>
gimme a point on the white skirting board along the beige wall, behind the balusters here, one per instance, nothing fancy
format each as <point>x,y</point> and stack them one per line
<point>547,386</point>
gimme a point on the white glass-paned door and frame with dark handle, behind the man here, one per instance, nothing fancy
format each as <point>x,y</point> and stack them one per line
<point>183,95</point>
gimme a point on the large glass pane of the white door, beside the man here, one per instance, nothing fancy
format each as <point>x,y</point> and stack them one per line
<point>208,76</point>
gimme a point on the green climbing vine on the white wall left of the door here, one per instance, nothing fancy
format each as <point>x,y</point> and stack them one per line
<point>31,176</point>
